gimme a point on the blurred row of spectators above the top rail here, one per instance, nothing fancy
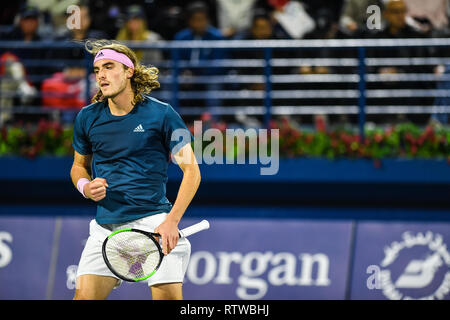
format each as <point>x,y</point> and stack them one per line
<point>150,20</point>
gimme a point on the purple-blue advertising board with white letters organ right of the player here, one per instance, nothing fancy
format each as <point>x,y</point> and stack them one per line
<point>269,259</point>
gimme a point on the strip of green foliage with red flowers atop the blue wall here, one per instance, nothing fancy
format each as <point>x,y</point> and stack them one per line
<point>403,140</point>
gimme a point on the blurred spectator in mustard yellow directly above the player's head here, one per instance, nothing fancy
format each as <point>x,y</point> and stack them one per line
<point>135,29</point>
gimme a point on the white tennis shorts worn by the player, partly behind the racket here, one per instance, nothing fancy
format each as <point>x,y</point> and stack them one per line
<point>172,268</point>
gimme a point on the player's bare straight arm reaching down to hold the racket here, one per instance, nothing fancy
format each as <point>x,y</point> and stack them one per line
<point>168,230</point>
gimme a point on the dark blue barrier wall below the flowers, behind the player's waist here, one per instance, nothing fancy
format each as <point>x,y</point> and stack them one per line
<point>298,181</point>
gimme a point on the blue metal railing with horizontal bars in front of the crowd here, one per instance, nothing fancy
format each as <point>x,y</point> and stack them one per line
<point>269,100</point>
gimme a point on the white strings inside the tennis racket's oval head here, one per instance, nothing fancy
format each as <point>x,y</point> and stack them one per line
<point>132,255</point>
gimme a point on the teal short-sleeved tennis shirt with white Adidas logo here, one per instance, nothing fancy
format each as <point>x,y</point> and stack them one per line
<point>132,152</point>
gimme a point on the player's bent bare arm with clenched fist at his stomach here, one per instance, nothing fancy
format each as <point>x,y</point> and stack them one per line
<point>81,168</point>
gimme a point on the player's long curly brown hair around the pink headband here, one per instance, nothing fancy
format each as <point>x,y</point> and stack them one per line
<point>144,79</point>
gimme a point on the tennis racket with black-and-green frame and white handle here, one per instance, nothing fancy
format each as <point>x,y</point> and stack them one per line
<point>134,255</point>
